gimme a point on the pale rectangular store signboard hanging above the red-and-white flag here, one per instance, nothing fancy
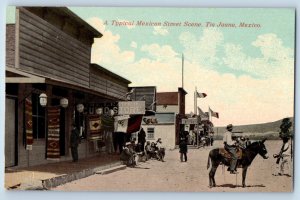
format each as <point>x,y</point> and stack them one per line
<point>131,107</point>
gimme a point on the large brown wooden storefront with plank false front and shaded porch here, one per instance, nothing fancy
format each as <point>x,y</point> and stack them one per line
<point>49,51</point>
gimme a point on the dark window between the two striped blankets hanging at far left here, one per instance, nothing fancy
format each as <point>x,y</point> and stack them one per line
<point>38,118</point>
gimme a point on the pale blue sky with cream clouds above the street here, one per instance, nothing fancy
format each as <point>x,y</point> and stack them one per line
<point>246,72</point>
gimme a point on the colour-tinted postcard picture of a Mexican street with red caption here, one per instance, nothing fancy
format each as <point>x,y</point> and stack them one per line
<point>154,99</point>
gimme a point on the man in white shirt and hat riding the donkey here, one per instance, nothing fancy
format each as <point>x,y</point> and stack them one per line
<point>230,146</point>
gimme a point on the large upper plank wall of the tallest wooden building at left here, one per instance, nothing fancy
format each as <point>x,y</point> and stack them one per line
<point>46,50</point>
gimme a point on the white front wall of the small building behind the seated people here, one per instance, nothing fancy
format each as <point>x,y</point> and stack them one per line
<point>164,131</point>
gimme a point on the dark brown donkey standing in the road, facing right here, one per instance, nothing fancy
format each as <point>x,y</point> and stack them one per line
<point>245,159</point>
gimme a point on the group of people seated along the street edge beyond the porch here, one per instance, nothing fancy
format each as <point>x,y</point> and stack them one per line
<point>134,152</point>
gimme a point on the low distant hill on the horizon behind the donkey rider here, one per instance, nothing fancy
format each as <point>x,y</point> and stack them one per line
<point>269,130</point>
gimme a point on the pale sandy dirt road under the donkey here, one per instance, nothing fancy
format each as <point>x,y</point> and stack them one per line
<point>192,176</point>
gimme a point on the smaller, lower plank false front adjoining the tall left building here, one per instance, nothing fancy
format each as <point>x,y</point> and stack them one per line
<point>107,85</point>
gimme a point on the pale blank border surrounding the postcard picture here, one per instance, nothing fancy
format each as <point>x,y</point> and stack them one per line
<point>139,195</point>
